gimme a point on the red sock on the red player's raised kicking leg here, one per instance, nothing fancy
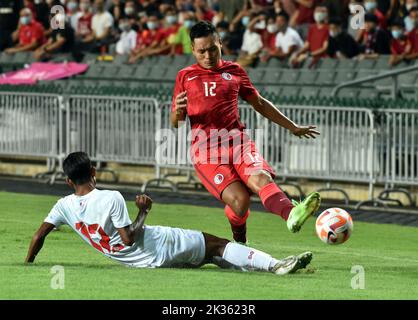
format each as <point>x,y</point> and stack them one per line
<point>275,201</point>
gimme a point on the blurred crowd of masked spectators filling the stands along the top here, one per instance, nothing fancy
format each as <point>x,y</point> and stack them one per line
<point>255,31</point>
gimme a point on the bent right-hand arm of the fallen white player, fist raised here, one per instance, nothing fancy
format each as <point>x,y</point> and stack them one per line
<point>130,233</point>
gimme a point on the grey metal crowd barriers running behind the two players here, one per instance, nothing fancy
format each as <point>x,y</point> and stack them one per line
<point>356,145</point>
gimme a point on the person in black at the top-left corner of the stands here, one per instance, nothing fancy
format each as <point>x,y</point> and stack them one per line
<point>9,17</point>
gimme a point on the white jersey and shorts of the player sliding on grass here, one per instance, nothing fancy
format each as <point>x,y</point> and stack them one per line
<point>96,216</point>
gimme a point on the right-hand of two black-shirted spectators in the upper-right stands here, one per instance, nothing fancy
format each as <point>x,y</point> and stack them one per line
<point>376,41</point>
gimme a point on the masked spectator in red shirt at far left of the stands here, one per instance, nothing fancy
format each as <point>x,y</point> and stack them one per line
<point>30,33</point>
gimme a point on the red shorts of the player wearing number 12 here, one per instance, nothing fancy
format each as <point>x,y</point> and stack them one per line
<point>231,163</point>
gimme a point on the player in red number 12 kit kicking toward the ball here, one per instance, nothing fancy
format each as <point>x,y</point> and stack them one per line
<point>207,92</point>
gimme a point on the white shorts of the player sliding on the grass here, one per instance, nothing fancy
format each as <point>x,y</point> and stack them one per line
<point>174,247</point>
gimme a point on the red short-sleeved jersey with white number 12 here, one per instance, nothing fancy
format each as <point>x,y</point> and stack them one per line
<point>212,95</point>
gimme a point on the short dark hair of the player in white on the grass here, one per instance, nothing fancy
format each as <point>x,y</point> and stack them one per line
<point>77,167</point>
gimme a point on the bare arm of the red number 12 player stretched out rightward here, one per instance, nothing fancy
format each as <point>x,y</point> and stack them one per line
<point>268,110</point>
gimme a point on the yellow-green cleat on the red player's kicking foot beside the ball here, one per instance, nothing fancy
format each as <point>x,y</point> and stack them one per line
<point>302,211</point>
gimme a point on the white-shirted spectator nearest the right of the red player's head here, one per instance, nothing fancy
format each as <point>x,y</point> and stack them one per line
<point>252,44</point>
